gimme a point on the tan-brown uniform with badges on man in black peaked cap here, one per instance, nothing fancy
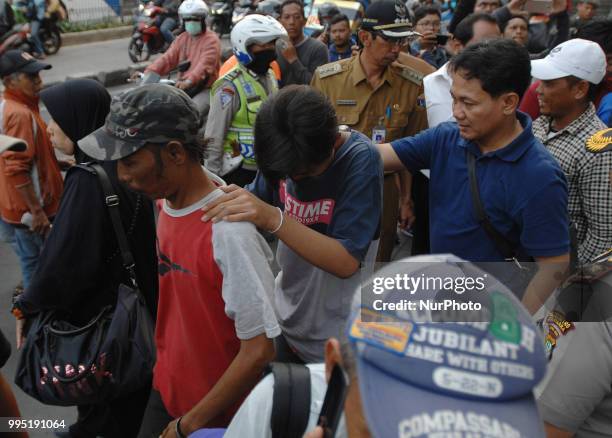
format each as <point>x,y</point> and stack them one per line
<point>397,104</point>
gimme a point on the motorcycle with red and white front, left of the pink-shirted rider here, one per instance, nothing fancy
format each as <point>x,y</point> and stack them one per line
<point>146,36</point>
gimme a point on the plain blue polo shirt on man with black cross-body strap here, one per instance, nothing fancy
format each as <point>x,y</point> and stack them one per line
<point>522,188</point>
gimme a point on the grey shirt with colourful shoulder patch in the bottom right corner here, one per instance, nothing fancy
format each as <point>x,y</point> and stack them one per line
<point>576,394</point>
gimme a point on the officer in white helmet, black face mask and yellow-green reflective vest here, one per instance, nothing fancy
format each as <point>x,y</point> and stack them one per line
<point>237,96</point>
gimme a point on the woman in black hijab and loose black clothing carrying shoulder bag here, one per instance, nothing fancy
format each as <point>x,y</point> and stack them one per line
<point>80,266</point>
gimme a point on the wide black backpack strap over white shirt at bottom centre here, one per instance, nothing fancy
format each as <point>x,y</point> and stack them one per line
<point>291,402</point>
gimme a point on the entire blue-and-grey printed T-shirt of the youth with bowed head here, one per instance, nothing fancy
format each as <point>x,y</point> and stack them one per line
<point>344,203</point>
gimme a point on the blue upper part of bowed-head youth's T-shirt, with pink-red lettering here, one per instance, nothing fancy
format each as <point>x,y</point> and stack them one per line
<point>344,202</point>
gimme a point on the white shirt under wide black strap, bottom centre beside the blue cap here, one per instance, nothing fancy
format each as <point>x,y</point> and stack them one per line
<point>253,417</point>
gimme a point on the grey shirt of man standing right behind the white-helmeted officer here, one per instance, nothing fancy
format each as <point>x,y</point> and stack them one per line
<point>311,54</point>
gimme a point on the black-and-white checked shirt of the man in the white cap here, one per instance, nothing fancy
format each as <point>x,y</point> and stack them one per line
<point>589,180</point>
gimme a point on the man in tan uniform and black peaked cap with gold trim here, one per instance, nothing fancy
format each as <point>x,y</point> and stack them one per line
<point>379,97</point>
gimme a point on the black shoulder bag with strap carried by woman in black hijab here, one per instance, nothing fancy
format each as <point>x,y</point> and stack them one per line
<point>111,356</point>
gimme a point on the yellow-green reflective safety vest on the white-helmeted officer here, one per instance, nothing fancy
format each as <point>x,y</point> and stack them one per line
<point>252,94</point>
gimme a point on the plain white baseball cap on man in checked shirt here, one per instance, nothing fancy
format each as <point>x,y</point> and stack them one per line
<point>580,58</point>
